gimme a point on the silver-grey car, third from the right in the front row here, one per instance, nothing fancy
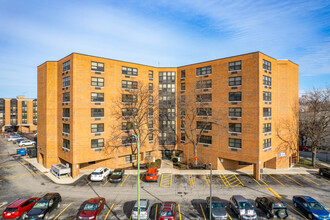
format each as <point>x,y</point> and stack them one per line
<point>242,207</point>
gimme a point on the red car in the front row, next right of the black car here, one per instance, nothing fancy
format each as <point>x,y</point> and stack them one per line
<point>92,208</point>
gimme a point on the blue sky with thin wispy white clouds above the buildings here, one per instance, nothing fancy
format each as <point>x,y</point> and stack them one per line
<point>161,33</point>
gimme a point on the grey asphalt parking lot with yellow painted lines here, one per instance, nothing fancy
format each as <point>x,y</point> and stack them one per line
<point>19,179</point>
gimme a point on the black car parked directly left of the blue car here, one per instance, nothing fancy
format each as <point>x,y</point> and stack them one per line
<point>272,206</point>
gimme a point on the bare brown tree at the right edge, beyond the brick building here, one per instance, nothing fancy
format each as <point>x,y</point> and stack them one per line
<point>315,122</point>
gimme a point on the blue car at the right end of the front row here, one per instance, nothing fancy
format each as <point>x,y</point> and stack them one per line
<point>310,207</point>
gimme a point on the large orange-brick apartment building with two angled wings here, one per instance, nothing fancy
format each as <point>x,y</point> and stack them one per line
<point>249,97</point>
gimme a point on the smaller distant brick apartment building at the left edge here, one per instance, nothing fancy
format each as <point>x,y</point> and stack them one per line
<point>20,113</point>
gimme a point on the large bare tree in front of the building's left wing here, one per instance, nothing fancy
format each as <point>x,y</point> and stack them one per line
<point>136,114</point>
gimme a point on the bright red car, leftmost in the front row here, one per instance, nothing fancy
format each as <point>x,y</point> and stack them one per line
<point>19,208</point>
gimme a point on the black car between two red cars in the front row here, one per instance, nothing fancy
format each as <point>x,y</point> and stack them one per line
<point>43,208</point>
